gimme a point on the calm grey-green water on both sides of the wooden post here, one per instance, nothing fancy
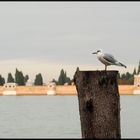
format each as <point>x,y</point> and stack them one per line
<point>57,117</point>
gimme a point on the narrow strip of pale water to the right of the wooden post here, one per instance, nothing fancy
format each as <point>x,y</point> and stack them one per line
<point>130,116</point>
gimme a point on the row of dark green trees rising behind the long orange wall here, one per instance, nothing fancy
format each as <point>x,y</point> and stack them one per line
<point>21,80</point>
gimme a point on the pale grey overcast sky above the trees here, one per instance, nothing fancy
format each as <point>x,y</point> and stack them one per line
<point>44,37</point>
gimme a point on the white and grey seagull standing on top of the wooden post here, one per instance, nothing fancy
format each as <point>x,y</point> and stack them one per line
<point>107,59</point>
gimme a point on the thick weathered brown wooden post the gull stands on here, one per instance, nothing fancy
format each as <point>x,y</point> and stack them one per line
<point>99,103</point>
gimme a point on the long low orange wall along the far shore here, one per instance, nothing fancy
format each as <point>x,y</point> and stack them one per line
<point>61,90</point>
